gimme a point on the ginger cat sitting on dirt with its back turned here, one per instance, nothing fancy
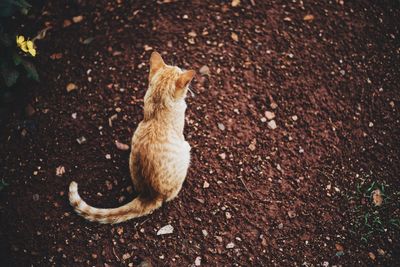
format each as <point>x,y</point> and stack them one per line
<point>160,156</point>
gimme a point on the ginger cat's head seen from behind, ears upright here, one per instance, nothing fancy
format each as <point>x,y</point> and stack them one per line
<point>167,84</point>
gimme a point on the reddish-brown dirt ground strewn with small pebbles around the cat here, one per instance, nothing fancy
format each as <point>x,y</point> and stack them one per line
<point>298,194</point>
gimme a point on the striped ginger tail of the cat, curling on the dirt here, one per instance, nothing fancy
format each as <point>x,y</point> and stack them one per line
<point>136,208</point>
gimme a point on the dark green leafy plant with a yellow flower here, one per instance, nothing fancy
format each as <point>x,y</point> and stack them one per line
<point>14,50</point>
